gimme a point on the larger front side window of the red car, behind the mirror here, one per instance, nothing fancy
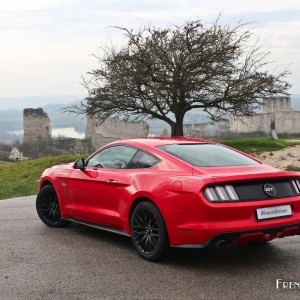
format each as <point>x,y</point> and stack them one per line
<point>116,157</point>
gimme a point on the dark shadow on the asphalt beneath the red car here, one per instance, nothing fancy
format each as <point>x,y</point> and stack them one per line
<point>208,258</point>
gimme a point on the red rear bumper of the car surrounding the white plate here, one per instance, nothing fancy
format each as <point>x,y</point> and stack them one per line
<point>203,224</point>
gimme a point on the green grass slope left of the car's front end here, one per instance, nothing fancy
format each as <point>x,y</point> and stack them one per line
<point>22,178</point>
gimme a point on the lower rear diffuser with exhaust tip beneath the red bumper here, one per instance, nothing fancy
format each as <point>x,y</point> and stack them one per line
<point>248,236</point>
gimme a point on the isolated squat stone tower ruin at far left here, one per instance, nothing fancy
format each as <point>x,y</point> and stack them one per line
<point>36,125</point>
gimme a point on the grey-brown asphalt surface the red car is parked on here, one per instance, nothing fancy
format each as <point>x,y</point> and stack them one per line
<point>78,262</point>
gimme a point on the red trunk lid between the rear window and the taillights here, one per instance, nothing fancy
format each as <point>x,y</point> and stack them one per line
<point>238,173</point>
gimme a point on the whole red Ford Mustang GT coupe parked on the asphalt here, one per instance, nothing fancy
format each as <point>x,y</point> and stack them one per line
<point>173,191</point>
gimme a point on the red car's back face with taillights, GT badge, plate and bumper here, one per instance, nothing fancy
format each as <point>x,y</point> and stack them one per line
<point>243,209</point>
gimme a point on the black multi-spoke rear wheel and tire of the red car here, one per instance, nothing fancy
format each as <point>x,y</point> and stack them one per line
<point>148,231</point>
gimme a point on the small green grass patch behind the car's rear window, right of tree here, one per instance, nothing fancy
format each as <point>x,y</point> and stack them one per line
<point>257,145</point>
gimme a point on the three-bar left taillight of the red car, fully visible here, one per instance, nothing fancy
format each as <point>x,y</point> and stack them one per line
<point>221,193</point>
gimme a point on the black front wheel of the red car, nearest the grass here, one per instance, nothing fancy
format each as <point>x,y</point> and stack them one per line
<point>48,209</point>
